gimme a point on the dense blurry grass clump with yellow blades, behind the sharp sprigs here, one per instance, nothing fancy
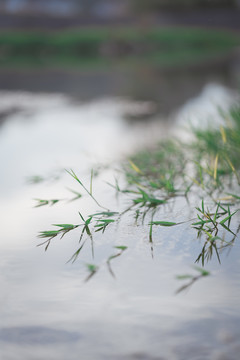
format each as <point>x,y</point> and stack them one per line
<point>213,157</point>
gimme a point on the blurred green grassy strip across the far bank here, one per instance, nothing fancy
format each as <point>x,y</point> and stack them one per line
<point>99,47</point>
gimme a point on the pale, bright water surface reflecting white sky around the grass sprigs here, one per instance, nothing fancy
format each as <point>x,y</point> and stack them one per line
<point>48,311</point>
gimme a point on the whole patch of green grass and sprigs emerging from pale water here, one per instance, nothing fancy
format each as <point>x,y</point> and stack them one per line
<point>204,171</point>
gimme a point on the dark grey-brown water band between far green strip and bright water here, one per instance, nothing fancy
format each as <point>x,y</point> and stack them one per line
<point>166,89</point>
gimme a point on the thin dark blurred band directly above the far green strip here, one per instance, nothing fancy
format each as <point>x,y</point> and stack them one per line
<point>222,18</point>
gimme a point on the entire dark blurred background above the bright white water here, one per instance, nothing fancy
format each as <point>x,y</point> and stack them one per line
<point>157,50</point>
